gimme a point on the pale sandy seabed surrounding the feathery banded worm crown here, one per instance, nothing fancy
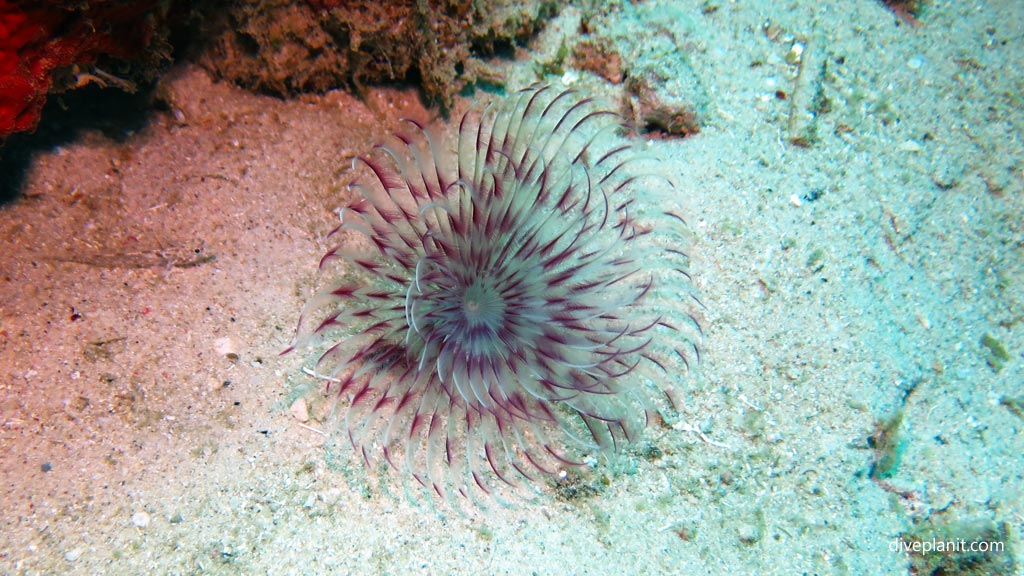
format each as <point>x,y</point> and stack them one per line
<point>148,424</point>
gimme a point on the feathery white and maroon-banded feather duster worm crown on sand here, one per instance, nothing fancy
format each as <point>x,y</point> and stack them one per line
<point>501,304</point>
